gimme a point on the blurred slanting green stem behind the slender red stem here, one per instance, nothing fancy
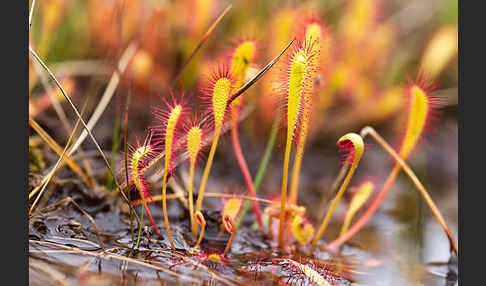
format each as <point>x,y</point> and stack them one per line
<point>263,166</point>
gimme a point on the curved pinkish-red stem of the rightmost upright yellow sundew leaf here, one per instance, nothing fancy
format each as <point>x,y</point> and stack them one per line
<point>369,212</point>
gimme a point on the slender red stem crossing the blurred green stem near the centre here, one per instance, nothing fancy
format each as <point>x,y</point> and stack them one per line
<point>244,167</point>
